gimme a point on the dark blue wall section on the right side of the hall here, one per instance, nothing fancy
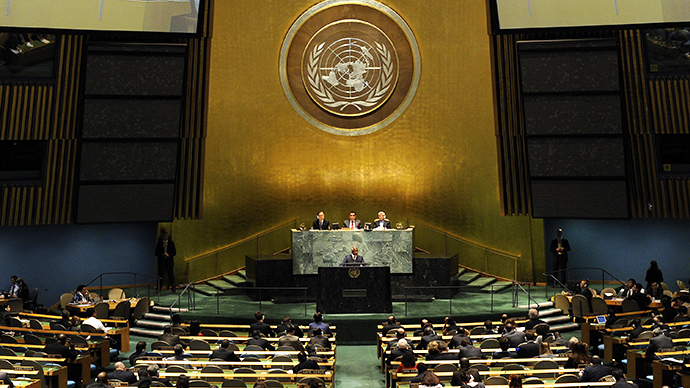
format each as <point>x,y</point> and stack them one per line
<point>624,247</point>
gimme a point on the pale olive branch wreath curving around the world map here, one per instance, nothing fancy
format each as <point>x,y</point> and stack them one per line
<point>325,95</point>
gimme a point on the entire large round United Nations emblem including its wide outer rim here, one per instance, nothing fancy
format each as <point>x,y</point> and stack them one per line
<point>350,67</point>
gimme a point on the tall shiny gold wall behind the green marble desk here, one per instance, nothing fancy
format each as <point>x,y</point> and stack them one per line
<point>436,163</point>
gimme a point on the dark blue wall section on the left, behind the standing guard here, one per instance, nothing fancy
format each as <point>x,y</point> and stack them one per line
<point>57,258</point>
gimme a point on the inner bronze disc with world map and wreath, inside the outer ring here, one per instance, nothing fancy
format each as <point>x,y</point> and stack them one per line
<point>350,74</point>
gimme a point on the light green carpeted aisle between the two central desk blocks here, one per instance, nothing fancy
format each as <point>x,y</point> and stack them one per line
<point>358,367</point>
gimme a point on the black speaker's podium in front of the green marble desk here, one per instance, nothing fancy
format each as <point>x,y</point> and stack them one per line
<point>354,290</point>
